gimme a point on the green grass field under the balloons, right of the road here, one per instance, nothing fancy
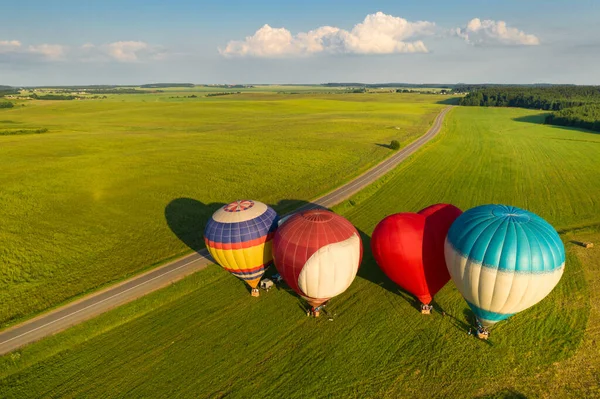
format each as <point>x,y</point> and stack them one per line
<point>205,337</point>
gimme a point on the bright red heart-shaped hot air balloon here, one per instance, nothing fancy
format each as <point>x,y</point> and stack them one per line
<point>409,248</point>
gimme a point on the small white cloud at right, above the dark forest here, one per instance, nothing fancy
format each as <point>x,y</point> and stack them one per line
<point>488,32</point>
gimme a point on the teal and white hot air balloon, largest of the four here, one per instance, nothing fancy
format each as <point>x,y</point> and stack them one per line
<point>503,260</point>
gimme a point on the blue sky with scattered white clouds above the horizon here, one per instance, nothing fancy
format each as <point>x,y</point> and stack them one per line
<point>232,42</point>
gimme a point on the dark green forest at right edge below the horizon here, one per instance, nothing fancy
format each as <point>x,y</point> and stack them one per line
<point>577,106</point>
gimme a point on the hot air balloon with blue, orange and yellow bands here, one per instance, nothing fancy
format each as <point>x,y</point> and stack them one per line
<point>239,237</point>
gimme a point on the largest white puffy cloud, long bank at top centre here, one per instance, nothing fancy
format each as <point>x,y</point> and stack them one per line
<point>378,33</point>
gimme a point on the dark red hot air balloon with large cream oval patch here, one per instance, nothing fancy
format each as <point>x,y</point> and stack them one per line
<point>318,254</point>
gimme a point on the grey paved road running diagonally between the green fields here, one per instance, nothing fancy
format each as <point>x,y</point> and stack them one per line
<point>111,297</point>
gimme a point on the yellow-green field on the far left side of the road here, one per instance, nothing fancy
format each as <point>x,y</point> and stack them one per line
<point>87,202</point>
